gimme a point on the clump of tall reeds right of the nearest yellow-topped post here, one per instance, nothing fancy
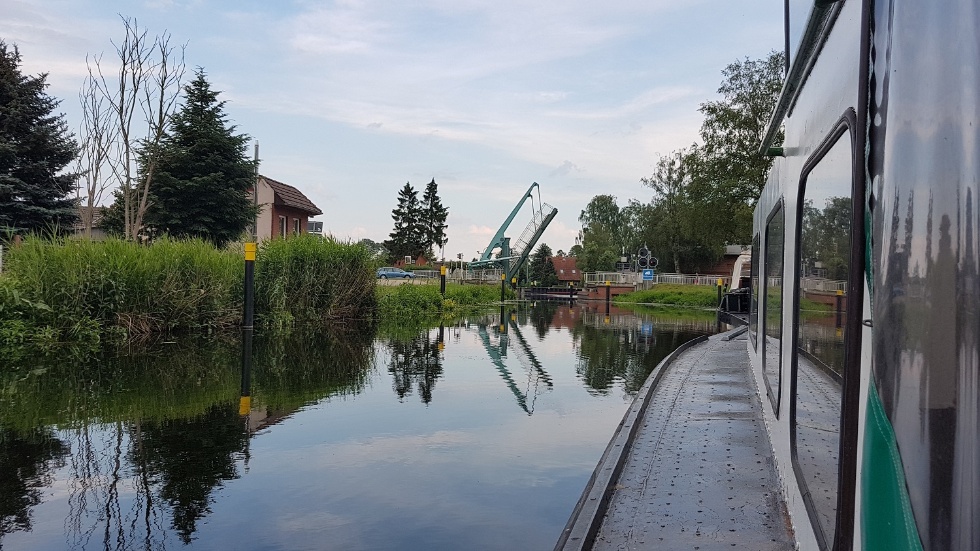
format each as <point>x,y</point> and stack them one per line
<point>307,278</point>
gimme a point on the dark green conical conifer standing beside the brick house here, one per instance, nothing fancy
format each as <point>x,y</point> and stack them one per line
<point>203,173</point>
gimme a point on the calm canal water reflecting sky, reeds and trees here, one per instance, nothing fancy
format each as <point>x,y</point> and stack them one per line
<point>480,434</point>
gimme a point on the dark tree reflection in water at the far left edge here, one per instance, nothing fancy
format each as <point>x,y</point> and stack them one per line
<point>26,462</point>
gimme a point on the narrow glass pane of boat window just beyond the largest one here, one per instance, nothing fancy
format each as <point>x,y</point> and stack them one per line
<point>772,305</point>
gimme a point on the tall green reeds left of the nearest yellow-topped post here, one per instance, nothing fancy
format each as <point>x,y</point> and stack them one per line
<point>141,289</point>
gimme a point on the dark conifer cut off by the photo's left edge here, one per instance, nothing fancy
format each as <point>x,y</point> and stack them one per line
<point>35,147</point>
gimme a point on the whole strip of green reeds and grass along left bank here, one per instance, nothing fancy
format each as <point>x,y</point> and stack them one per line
<point>66,290</point>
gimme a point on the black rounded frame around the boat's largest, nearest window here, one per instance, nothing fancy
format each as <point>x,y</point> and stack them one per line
<point>851,370</point>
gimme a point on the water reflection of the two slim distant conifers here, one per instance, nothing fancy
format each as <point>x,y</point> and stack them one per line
<point>415,363</point>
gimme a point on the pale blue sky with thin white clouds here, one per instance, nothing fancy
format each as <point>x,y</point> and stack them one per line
<point>351,99</point>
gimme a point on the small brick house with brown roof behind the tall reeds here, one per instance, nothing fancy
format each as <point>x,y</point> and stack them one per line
<point>284,210</point>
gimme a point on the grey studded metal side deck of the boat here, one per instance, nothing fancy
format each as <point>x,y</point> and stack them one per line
<point>691,466</point>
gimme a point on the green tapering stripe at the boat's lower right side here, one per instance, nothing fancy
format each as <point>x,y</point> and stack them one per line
<point>886,513</point>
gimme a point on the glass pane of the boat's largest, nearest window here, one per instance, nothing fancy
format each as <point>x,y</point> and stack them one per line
<point>818,367</point>
